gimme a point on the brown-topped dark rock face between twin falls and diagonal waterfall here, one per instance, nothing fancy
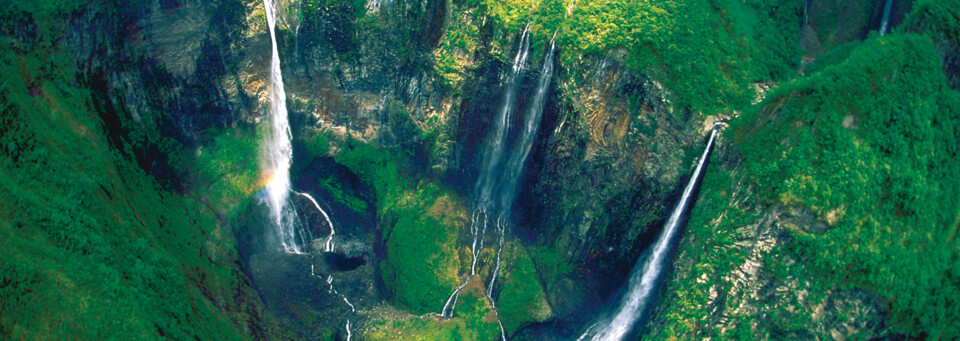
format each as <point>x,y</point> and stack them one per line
<point>610,158</point>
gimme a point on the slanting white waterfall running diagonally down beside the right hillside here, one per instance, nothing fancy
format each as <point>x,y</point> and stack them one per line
<point>643,277</point>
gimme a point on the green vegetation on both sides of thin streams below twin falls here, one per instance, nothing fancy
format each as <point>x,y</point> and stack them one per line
<point>419,222</point>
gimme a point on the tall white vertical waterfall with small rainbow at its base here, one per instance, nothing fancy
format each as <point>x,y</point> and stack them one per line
<point>277,151</point>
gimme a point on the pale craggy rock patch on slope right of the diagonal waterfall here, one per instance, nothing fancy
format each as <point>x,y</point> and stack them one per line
<point>750,285</point>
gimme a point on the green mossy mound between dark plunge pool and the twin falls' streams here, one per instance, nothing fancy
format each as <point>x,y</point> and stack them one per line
<point>419,221</point>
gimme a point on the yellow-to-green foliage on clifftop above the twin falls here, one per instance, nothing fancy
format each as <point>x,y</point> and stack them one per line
<point>707,52</point>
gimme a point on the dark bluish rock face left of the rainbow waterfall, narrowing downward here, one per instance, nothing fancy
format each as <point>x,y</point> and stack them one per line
<point>167,67</point>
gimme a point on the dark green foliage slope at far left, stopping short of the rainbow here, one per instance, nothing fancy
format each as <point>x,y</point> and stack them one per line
<point>92,247</point>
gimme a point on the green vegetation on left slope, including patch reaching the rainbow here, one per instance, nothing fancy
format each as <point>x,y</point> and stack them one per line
<point>110,228</point>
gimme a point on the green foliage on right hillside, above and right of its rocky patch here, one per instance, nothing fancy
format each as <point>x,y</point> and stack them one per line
<point>870,144</point>
